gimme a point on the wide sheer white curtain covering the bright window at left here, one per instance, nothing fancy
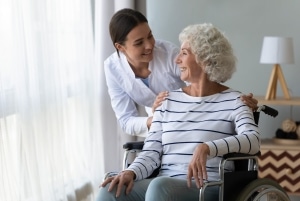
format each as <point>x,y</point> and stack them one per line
<point>50,121</point>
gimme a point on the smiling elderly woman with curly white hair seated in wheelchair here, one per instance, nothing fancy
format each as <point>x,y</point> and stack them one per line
<point>192,129</point>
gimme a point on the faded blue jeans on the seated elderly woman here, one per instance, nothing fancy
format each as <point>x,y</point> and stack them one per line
<point>159,189</point>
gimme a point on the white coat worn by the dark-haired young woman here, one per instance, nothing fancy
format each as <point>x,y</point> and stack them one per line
<point>126,90</point>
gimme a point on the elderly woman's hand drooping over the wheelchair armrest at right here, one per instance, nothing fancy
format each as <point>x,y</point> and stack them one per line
<point>197,166</point>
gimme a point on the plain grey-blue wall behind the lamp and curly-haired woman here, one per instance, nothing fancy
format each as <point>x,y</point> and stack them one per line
<point>245,23</point>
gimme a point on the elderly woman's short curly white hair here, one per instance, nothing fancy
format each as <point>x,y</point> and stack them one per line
<point>212,49</point>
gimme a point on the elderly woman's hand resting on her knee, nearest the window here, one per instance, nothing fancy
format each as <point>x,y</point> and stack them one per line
<point>124,178</point>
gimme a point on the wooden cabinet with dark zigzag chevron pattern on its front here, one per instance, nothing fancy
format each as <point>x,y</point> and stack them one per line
<point>281,162</point>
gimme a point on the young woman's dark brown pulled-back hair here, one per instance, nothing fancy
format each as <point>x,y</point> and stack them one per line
<point>122,22</point>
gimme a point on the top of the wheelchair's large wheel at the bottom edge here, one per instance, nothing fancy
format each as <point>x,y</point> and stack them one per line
<point>263,190</point>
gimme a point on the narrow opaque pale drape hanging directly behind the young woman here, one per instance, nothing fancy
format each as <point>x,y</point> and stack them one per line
<point>113,137</point>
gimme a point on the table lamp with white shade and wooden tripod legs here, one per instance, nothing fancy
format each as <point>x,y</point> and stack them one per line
<point>276,51</point>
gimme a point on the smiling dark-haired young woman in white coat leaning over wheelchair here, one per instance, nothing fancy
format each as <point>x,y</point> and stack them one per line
<point>141,71</point>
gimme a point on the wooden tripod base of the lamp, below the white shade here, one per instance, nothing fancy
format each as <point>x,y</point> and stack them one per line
<point>277,75</point>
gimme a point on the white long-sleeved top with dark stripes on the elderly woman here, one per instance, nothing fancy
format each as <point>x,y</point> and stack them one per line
<point>182,122</point>
